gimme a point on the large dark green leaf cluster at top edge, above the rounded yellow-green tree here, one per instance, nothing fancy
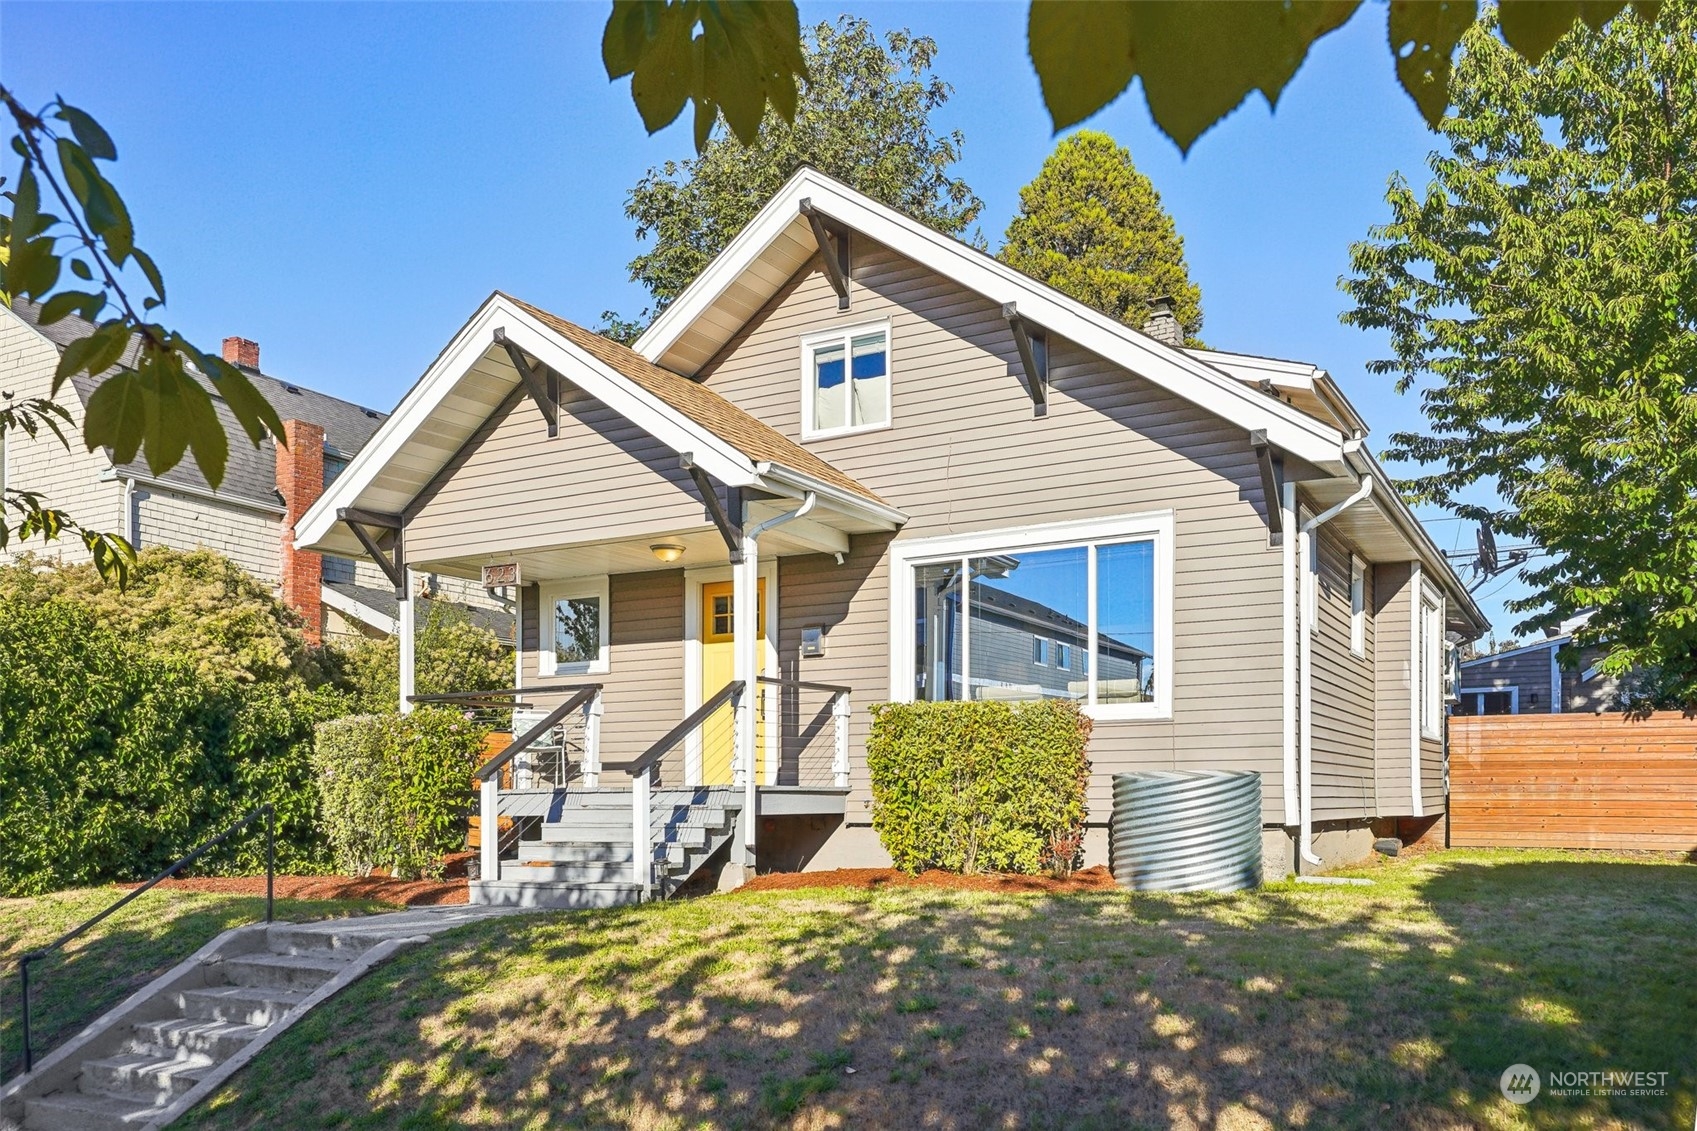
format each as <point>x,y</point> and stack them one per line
<point>1197,60</point>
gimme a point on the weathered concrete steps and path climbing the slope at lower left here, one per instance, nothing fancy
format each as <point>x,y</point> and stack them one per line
<point>177,1040</point>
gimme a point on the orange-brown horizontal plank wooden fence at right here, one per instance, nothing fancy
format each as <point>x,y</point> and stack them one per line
<point>1603,782</point>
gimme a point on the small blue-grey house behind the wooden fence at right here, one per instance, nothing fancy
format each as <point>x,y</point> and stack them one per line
<point>1530,680</point>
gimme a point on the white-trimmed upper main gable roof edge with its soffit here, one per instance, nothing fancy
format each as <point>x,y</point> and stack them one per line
<point>778,242</point>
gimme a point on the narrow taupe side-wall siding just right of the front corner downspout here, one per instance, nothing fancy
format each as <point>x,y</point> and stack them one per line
<point>1341,694</point>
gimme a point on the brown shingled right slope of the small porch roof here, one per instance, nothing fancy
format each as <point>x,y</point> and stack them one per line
<point>707,408</point>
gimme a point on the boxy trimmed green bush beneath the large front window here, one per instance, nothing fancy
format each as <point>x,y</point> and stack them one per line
<point>980,787</point>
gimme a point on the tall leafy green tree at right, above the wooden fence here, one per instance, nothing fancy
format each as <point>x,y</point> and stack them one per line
<point>1542,295</point>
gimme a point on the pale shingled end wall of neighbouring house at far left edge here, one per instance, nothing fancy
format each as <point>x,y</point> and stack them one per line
<point>67,478</point>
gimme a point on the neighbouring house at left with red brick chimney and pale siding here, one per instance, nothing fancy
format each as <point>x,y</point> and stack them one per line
<point>252,512</point>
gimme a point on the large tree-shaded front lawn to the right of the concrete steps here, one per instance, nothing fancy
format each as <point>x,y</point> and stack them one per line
<point>1394,1006</point>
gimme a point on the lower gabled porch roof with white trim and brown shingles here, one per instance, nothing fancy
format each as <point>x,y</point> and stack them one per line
<point>473,378</point>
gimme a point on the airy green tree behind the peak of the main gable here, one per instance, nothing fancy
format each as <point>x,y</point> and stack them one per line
<point>865,116</point>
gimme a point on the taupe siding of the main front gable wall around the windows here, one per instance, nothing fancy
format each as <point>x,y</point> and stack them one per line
<point>966,454</point>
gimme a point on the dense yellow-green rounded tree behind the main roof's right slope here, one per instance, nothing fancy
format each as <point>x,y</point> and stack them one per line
<point>1092,227</point>
